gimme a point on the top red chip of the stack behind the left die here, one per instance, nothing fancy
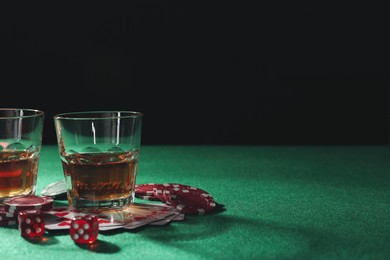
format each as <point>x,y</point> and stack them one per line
<point>16,204</point>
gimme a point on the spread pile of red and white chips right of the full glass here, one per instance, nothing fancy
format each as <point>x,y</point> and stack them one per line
<point>186,198</point>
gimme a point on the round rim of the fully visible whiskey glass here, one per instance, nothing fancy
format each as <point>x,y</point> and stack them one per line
<point>93,115</point>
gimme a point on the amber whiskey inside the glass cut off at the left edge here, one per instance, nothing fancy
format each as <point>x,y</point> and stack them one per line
<point>18,173</point>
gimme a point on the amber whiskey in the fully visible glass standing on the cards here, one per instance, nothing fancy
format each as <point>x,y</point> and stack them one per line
<point>100,180</point>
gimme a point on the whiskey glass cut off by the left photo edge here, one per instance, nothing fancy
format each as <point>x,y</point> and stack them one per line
<point>20,147</point>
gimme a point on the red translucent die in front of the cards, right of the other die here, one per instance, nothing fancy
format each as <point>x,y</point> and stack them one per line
<point>84,229</point>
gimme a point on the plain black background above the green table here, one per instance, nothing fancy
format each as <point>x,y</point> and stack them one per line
<point>204,73</point>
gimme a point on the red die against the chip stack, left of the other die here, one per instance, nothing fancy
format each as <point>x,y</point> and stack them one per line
<point>31,223</point>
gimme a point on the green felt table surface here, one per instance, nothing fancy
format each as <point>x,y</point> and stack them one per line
<point>280,202</point>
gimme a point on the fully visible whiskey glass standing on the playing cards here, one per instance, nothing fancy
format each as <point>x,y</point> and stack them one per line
<point>99,152</point>
